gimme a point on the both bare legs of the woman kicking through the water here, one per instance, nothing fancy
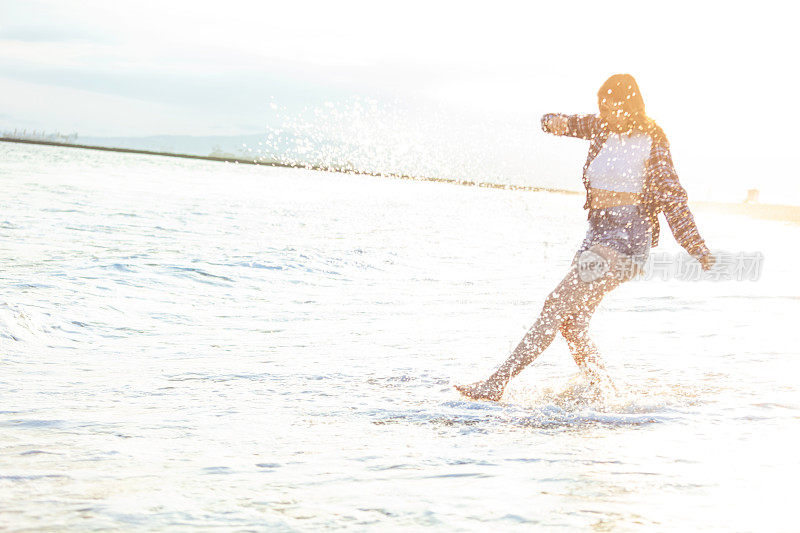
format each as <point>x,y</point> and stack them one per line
<point>573,300</point>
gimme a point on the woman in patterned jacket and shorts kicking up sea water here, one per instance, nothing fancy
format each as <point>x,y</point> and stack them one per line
<point>629,179</point>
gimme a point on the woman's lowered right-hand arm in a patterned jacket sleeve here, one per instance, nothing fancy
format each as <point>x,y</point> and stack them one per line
<point>672,198</point>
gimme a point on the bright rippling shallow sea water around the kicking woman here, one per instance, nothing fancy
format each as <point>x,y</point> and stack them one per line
<point>196,345</point>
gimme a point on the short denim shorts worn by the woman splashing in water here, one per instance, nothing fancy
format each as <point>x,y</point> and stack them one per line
<point>623,228</point>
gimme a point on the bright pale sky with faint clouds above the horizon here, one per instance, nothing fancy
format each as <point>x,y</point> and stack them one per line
<point>720,77</point>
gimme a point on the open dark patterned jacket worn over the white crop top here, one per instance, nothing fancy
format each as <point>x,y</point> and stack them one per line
<point>662,190</point>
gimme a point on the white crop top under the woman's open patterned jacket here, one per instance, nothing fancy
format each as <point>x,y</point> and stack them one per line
<point>620,165</point>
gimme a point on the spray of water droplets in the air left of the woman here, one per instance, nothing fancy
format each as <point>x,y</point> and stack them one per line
<point>400,139</point>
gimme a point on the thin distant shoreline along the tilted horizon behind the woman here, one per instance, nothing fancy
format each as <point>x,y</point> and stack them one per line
<point>781,212</point>
